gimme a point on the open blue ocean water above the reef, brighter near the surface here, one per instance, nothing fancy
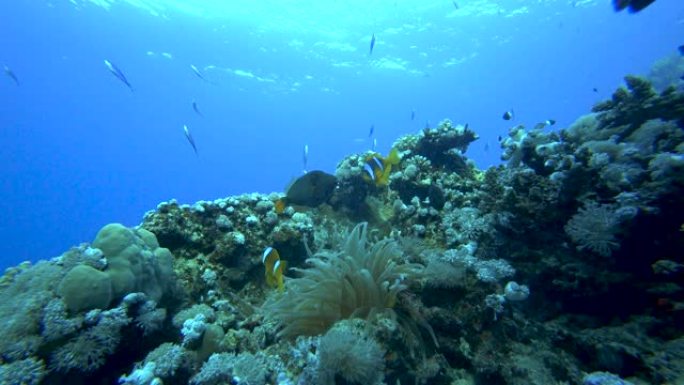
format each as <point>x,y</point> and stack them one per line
<point>79,149</point>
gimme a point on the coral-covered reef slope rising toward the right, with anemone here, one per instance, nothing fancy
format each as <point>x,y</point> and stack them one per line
<point>563,266</point>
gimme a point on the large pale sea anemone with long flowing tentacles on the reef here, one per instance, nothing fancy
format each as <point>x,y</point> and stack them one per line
<point>356,281</point>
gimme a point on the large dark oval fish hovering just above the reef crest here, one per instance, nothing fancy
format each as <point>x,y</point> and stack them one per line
<point>311,189</point>
